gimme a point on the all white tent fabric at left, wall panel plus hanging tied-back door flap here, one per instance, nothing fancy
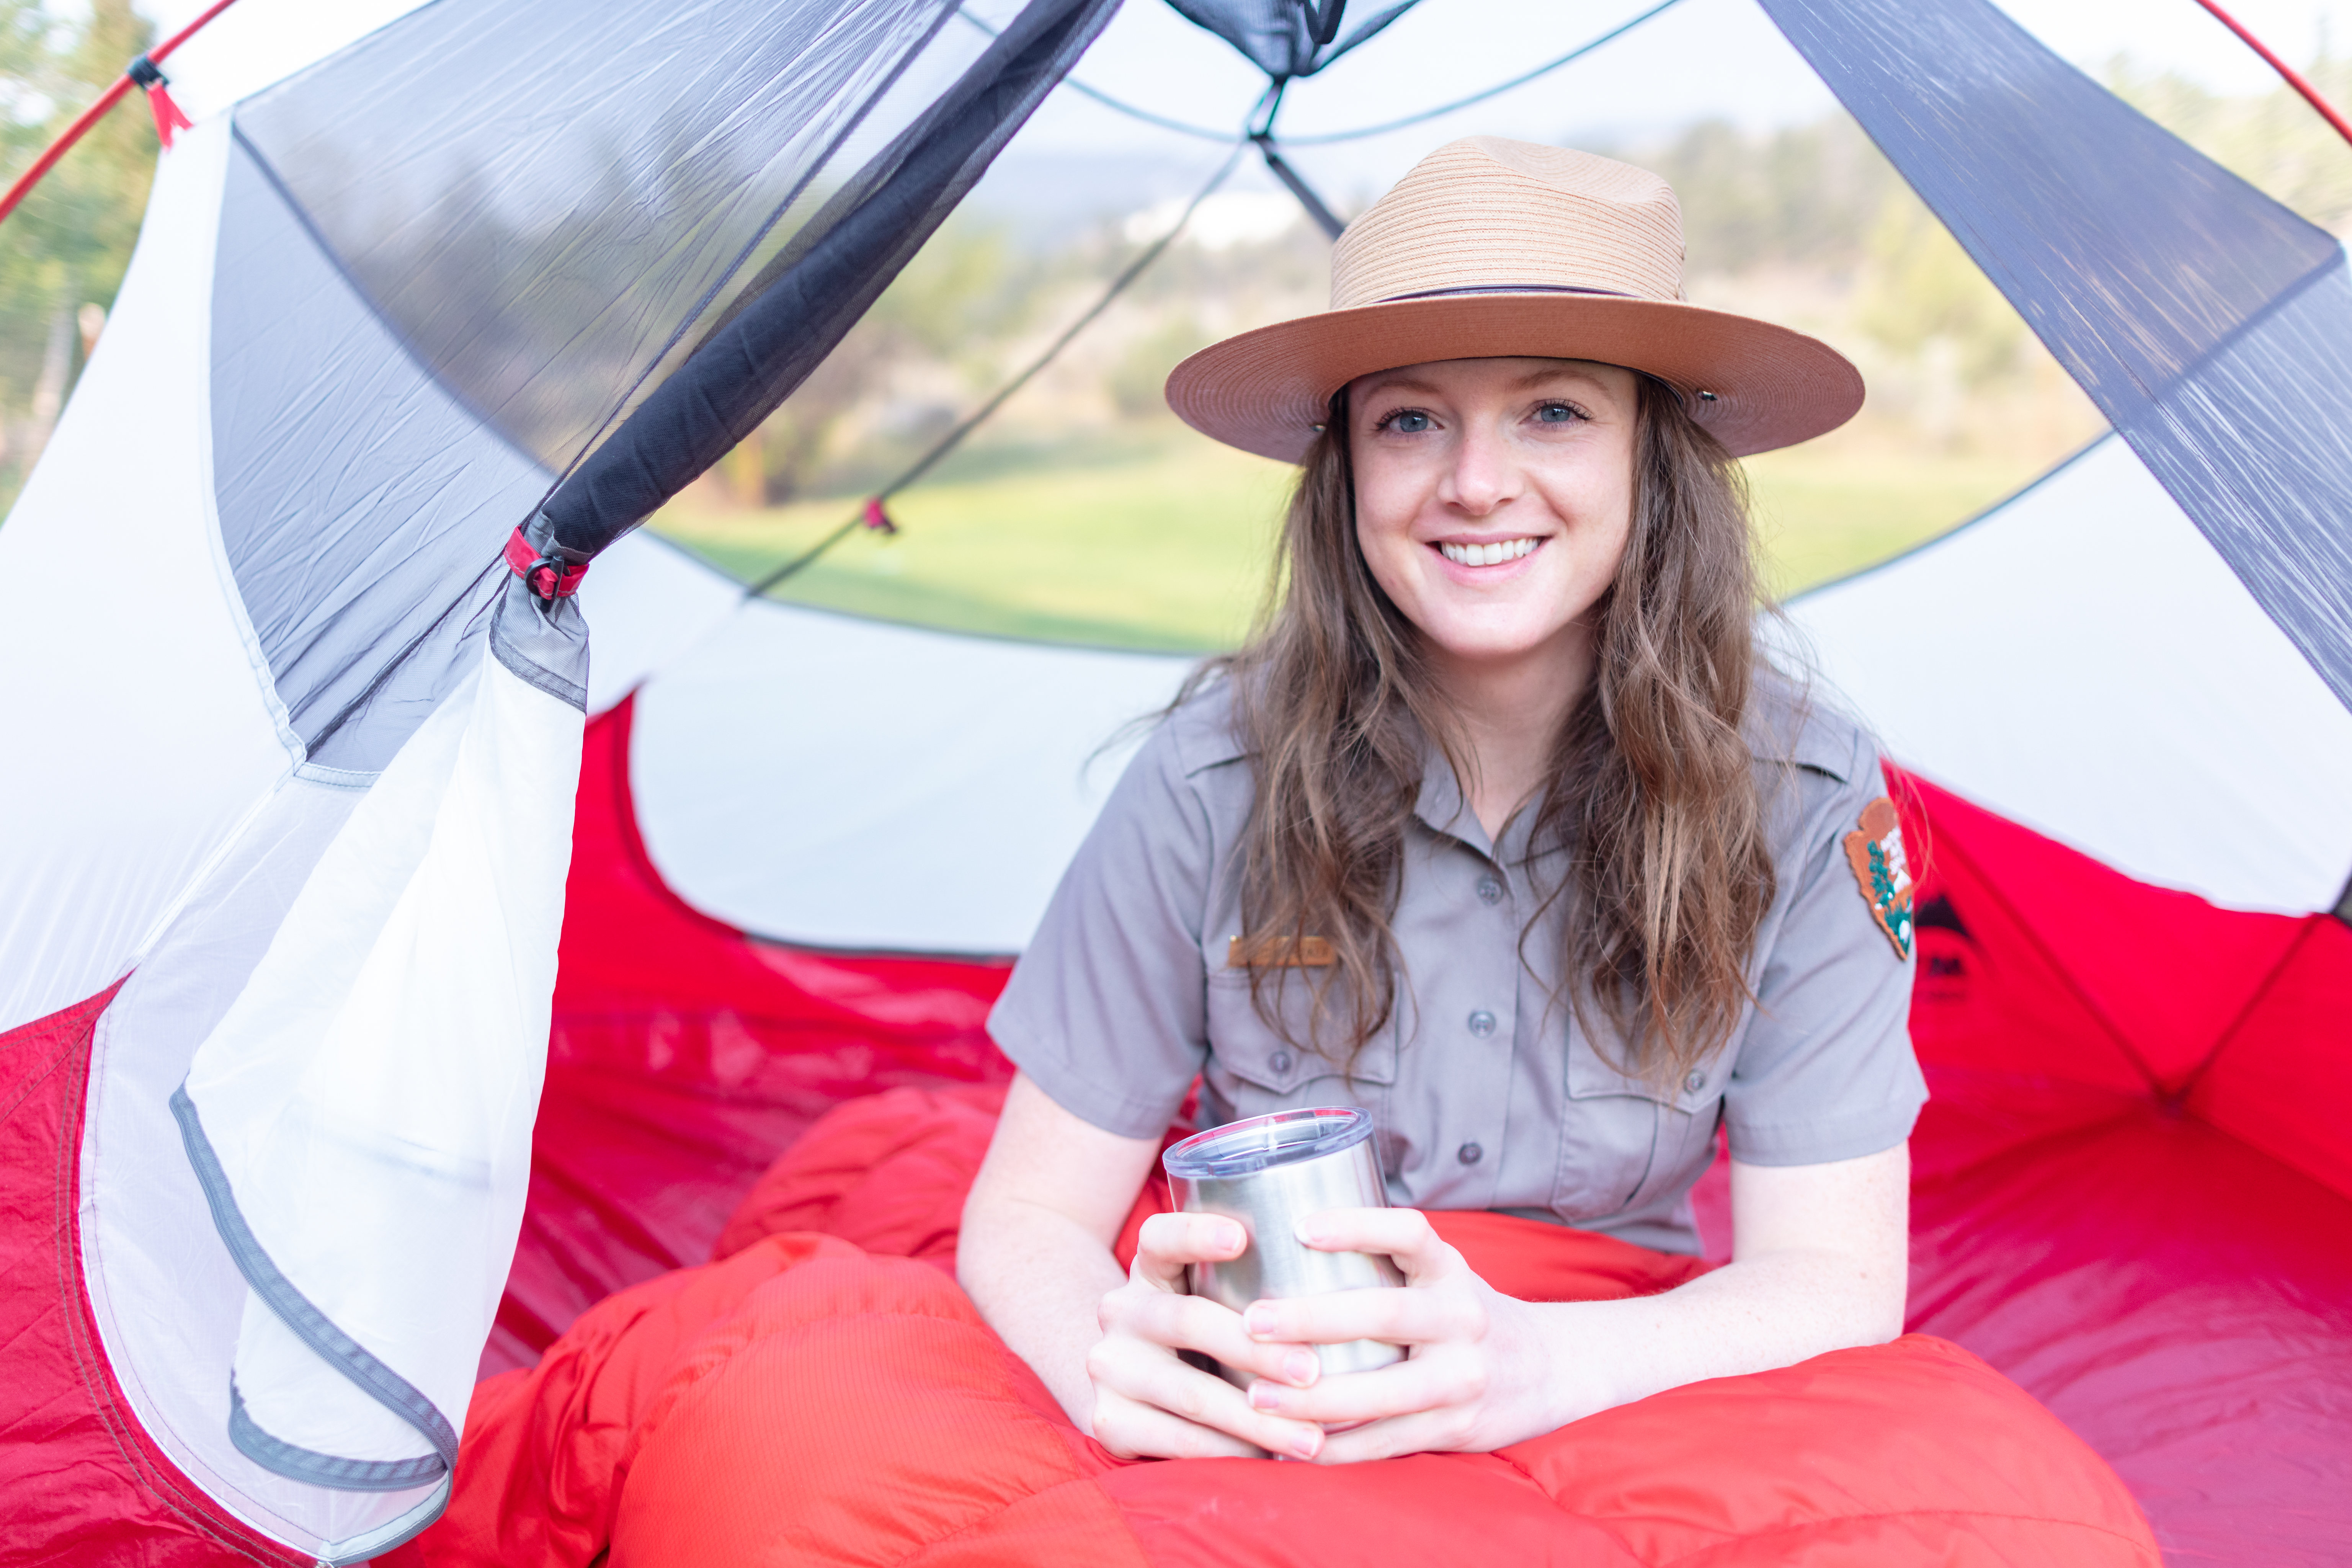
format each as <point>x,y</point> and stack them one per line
<point>349,972</point>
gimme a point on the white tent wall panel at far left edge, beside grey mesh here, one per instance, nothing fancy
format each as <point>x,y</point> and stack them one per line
<point>112,822</point>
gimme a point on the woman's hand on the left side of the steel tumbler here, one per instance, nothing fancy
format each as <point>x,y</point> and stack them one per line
<point>1147,1400</point>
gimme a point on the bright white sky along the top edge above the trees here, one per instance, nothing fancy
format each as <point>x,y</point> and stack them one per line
<point>1699,60</point>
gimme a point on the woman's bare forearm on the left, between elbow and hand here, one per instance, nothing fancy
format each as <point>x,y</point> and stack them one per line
<point>1041,1278</point>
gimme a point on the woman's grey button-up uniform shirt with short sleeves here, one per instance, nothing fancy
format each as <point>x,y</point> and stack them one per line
<point>1485,1087</point>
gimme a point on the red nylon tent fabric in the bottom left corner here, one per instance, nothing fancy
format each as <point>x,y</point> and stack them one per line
<point>81,1480</point>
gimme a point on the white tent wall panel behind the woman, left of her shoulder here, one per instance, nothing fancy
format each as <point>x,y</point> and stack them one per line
<point>864,786</point>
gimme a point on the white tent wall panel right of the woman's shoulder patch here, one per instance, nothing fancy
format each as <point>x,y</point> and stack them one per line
<point>2085,664</point>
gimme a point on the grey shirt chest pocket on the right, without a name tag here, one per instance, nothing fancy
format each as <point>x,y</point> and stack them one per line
<point>1626,1139</point>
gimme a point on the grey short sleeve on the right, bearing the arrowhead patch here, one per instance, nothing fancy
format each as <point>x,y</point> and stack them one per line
<point>1826,1068</point>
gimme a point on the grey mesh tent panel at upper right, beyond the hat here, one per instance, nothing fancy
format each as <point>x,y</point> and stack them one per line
<point>2207,321</point>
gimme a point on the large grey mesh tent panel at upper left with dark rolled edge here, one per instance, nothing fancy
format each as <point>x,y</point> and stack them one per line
<point>544,262</point>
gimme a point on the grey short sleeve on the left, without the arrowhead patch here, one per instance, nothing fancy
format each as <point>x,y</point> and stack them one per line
<point>1107,1007</point>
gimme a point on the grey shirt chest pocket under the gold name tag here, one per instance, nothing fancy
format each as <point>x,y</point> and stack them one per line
<point>1255,1071</point>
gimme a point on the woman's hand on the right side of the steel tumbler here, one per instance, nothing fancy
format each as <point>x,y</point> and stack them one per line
<point>1481,1369</point>
